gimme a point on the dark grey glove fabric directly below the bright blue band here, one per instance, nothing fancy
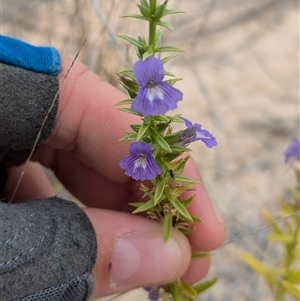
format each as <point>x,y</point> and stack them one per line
<point>25,98</point>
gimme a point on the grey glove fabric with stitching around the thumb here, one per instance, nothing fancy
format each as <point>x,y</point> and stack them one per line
<point>48,249</point>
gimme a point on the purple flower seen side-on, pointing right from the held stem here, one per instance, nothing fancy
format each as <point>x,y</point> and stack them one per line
<point>194,132</point>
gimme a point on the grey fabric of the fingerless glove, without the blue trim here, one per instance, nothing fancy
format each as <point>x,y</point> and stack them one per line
<point>47,247</point>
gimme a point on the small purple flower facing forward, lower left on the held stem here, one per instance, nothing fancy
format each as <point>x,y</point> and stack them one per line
<point>140,164</point>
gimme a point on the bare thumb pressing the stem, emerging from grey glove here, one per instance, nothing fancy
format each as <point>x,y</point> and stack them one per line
<point>132,252</point>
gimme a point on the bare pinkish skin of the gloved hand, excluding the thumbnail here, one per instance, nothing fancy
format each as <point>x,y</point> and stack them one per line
<point>84,151</point>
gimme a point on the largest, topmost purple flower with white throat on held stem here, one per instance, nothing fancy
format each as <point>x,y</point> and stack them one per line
<point>154,96</point>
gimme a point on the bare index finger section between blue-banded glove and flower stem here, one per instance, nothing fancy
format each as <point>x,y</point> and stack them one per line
<point>88,125</point>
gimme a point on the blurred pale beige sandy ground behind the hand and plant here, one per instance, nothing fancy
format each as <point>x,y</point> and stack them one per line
<point>240,81</point>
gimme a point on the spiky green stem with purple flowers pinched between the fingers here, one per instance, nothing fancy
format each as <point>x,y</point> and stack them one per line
<point>156,152</point>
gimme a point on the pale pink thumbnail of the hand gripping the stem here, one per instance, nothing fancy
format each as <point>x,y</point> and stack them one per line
<point>141,258</point>
